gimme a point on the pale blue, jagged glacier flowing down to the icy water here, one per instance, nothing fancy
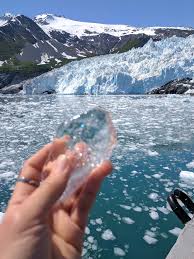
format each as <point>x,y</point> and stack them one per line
<point>134,72</point>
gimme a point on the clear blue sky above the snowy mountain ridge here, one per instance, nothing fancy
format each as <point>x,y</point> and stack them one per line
<point>132,12</point>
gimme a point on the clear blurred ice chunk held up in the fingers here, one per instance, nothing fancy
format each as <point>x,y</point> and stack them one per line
<point>96,130</point>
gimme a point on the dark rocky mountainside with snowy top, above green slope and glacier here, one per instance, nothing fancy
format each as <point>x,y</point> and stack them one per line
<point>54,38</point>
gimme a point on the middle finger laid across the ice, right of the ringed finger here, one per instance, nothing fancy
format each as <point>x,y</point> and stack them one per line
<point>53,186</point>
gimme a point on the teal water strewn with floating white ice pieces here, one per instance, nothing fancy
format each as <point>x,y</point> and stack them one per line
<point>155,144</point>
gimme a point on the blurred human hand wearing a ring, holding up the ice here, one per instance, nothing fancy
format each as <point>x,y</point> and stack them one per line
<point>38,226</point>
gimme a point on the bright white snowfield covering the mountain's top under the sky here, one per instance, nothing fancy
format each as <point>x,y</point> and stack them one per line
<point>50,22</point>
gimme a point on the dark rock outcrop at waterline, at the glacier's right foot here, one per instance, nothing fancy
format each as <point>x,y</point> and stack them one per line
<point>179,86</point>
